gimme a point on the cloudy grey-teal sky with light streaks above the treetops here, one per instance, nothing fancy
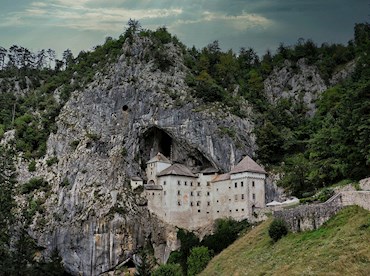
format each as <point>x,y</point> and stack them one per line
<point>259,24</point>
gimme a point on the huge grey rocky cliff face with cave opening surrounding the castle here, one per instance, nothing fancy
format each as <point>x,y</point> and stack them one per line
<point>106,133</point>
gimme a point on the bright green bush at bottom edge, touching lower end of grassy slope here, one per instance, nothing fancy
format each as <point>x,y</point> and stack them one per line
<point>198,259</point>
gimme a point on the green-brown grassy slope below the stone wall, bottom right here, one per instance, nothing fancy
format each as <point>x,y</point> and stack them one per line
<point>340,247</point>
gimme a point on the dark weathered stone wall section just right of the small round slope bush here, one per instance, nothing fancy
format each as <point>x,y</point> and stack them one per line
<point>308,217</point>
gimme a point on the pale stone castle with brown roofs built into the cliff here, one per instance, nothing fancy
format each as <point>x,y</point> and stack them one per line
<point>193,200</point>
